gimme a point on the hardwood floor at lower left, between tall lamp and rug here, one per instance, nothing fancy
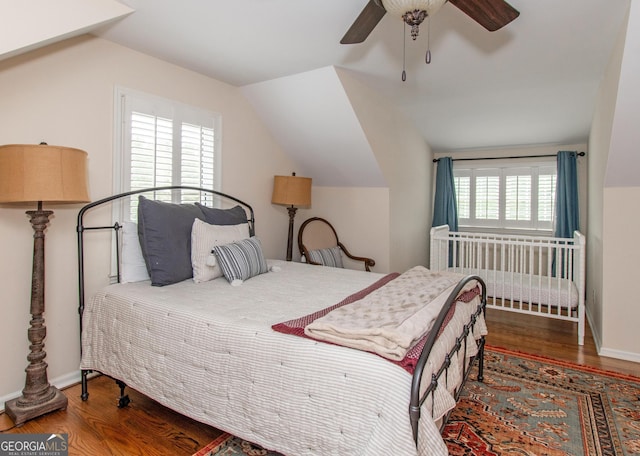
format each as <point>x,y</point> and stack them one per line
<point>98,427</point>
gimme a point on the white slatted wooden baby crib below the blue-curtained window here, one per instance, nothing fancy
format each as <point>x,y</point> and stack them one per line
<point>537,275</point>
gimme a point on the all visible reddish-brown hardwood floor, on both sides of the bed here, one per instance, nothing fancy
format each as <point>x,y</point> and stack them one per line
<point>98,427</point>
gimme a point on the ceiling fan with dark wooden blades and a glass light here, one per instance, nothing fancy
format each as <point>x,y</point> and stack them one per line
<point>491,14</point>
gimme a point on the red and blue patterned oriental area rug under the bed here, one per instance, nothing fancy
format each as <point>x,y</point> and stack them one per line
<point>527,405</point>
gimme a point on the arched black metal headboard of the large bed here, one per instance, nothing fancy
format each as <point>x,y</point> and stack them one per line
<point>81,227</point>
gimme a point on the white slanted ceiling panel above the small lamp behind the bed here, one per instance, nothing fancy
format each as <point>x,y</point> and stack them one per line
<point>311,116</point>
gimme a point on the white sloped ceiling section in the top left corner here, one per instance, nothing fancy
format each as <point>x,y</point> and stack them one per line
<point>27,25</point>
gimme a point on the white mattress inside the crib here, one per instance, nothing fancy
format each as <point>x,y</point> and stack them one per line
<point>535,289</point>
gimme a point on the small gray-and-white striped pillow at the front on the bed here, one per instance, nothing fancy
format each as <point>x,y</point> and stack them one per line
<point>241,260</point>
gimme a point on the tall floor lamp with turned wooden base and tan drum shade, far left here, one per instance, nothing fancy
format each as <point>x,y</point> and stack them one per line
<point>33,174</point>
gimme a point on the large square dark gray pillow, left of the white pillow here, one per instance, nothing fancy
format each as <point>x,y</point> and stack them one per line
<point>164,230</point>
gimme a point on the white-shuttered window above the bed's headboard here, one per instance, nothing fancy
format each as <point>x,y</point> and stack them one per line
<point>164,143</point>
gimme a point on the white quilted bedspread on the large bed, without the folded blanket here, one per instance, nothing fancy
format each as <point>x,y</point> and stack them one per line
<point>207,350</point>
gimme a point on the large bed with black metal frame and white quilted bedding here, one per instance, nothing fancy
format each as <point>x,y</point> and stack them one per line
<point>227,353</point>
